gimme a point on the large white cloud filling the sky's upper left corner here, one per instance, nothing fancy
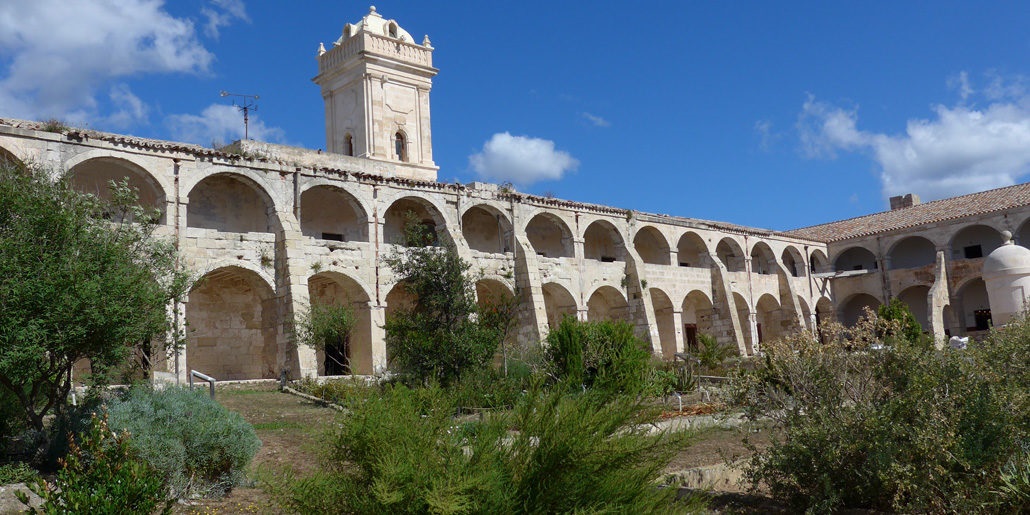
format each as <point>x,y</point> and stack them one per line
<point>59,54</point>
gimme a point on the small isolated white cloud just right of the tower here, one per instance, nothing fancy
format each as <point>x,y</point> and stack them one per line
<point>522,160</point>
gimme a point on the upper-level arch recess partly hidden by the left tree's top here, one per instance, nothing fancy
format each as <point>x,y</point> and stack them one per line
<point>93,177</point>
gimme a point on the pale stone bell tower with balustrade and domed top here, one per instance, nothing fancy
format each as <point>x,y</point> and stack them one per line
<point>376,83</point>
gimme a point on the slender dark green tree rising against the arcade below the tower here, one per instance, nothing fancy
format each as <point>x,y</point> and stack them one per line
<point>439,338</point>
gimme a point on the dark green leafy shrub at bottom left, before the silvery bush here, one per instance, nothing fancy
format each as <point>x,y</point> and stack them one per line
<point>102,474</point>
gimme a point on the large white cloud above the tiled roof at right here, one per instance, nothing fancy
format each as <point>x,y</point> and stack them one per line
<point>959,150</point>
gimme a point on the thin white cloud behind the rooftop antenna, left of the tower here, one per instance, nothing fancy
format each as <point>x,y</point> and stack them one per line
<point>220,124</point>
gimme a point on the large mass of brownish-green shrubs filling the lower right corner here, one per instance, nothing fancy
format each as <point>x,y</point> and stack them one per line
<point>875,419</point>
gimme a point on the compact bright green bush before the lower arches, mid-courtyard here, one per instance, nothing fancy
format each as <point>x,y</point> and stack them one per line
<point>606,356</point>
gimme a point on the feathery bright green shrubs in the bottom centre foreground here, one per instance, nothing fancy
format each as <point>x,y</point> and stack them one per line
<point>554,453</point>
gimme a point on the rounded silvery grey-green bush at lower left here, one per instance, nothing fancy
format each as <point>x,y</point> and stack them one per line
<point>199,445</point>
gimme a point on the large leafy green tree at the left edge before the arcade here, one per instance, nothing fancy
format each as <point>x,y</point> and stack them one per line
<point>80,280</point>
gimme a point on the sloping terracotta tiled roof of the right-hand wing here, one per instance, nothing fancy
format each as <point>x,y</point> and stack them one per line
<point>920,215</point>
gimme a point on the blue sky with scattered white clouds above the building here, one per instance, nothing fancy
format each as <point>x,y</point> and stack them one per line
<point>768,115</point>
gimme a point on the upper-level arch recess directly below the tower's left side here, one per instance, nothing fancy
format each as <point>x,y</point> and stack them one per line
<point>330,213</point>
